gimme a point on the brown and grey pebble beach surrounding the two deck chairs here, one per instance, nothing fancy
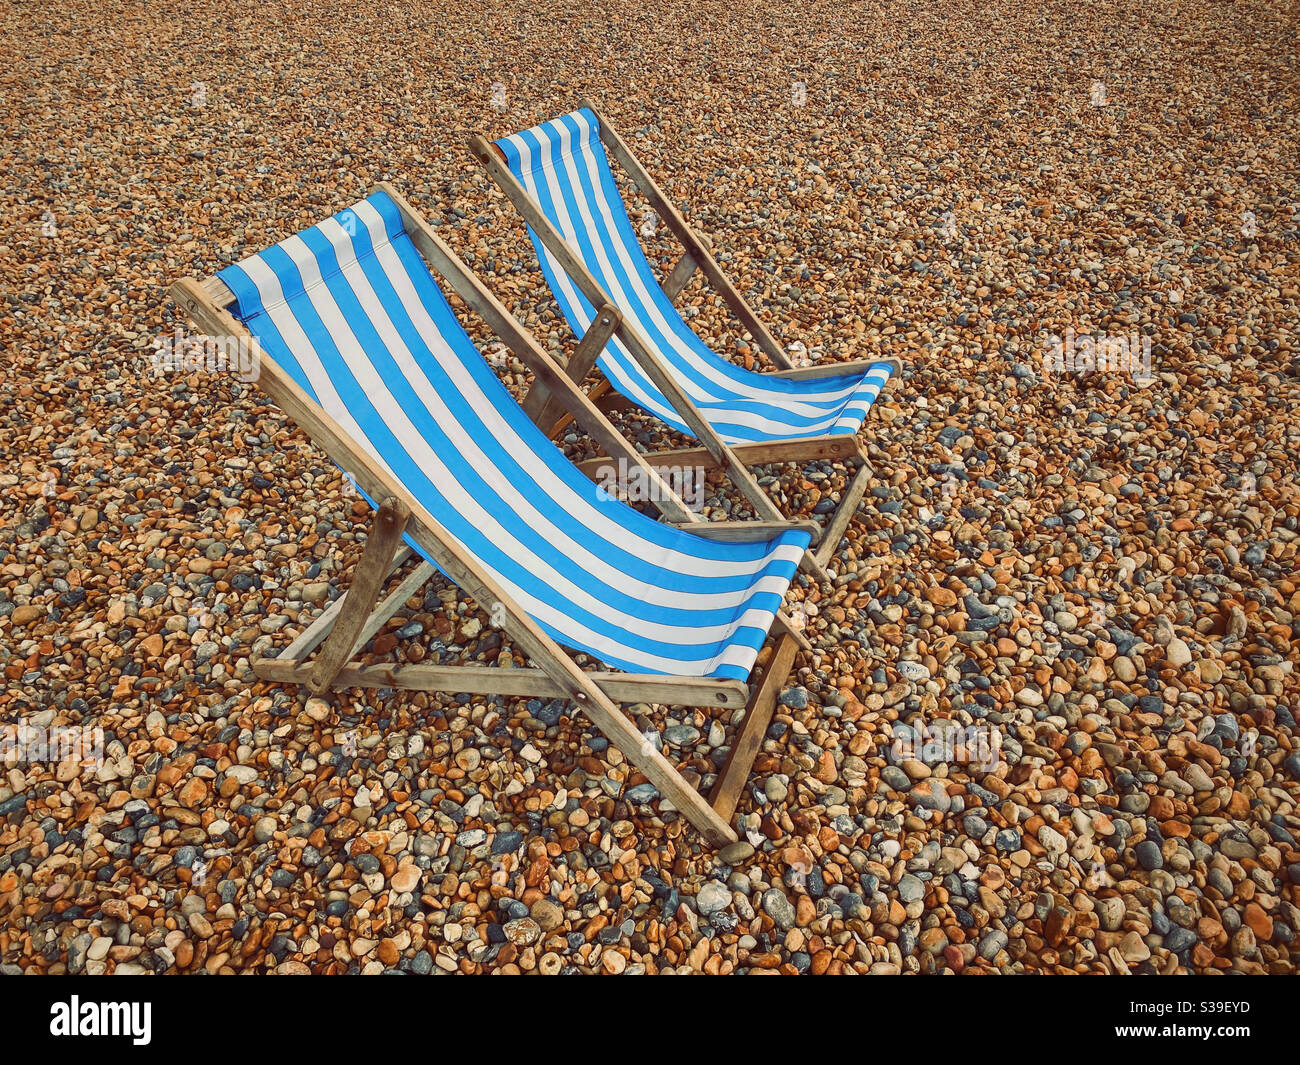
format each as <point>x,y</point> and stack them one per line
<point>1091,578</point>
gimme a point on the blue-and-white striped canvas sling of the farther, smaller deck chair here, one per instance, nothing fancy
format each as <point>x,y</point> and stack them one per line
<point>564,167</point>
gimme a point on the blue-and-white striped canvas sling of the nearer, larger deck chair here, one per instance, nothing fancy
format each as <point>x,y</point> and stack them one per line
<point>352,313</point>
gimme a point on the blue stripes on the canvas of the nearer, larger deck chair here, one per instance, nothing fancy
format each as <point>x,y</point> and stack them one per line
<point>467,414</point>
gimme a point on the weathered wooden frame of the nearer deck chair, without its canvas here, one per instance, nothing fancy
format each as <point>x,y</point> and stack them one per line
<point>359,614</point>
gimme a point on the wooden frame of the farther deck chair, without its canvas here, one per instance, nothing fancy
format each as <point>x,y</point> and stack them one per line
<point>713,453</point>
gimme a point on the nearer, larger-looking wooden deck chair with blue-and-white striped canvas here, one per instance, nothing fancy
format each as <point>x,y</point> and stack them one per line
<point>357,343</point>
